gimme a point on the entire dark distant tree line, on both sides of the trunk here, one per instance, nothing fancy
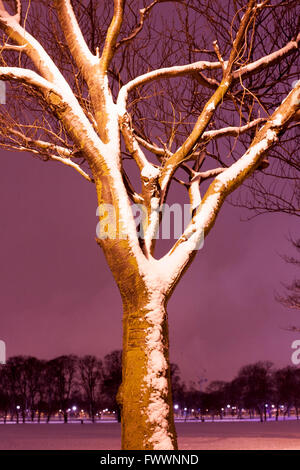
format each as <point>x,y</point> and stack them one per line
<point>31,388</point>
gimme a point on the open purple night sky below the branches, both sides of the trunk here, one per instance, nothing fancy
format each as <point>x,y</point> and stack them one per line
<point>58,296</point>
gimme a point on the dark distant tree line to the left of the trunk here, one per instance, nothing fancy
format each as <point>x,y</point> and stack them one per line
<point>34,387</point>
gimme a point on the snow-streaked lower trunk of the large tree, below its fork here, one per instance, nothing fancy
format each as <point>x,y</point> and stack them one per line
<point>145,393</point>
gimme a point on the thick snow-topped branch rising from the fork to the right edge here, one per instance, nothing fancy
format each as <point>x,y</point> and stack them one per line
<point>184,249</point>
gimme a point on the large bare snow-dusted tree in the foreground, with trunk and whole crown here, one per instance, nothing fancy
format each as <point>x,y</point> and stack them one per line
<point>208,89</point>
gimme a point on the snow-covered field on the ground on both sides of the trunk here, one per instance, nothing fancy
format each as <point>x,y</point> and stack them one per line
<point>195,436</point>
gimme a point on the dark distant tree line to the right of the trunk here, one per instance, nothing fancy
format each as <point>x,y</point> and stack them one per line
<point>258,389</point>
